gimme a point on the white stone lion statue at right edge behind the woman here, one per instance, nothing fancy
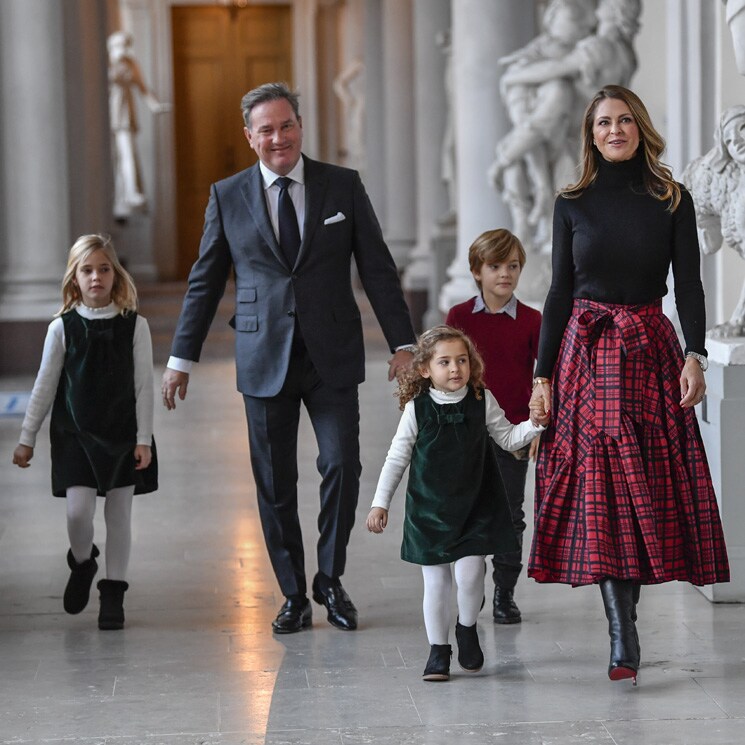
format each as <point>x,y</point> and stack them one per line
<point>716,181</point>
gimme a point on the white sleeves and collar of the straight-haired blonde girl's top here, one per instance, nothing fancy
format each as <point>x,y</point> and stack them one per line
<point>50,369</point>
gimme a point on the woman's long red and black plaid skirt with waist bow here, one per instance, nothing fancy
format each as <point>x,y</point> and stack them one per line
<point>623,487</point>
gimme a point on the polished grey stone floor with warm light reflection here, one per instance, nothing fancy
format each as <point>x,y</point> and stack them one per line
<point>197,663</point>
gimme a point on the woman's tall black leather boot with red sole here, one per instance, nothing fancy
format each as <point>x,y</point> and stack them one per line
<point>618,599</point>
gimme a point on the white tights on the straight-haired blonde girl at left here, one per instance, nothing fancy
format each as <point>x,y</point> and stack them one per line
<point>81,507</point>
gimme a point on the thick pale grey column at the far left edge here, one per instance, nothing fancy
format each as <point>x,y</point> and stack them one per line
<point>34,152</point>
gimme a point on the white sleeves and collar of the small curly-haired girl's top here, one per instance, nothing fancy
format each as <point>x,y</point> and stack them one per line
<point>507,435</point>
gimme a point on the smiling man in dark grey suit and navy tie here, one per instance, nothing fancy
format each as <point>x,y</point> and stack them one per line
<point>298,334</point>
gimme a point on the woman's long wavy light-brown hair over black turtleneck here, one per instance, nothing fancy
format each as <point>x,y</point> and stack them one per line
<point>658,178</point>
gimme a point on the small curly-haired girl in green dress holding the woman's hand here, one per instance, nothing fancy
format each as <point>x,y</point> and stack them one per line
<point>456,509</point>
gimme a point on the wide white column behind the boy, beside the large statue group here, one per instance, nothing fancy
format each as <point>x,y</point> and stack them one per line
<point>482,32</point>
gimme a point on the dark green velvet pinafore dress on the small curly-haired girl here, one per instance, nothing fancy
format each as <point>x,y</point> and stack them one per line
<point>456,503</point>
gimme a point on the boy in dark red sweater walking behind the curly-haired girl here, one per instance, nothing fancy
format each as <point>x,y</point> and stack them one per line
<point>505,332</point>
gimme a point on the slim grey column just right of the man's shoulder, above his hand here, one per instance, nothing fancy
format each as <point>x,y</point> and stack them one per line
<point>398,115</point>
